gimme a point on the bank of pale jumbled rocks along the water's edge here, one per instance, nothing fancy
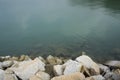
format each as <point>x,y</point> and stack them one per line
<point>57,68</point>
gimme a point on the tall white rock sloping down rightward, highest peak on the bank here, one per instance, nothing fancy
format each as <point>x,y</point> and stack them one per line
<point>89,63</point>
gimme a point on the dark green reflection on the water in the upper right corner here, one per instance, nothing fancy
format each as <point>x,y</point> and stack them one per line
<point>111,5</point>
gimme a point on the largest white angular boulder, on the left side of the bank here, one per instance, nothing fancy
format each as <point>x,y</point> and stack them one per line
<point>27,68</point>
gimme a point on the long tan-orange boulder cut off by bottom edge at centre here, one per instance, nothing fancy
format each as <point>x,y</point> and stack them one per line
<point>73,76</point>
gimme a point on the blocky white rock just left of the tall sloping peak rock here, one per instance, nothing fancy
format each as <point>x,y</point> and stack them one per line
<point>72,67</point>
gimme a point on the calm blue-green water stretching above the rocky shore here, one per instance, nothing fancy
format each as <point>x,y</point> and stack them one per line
<point>61,28</point>
